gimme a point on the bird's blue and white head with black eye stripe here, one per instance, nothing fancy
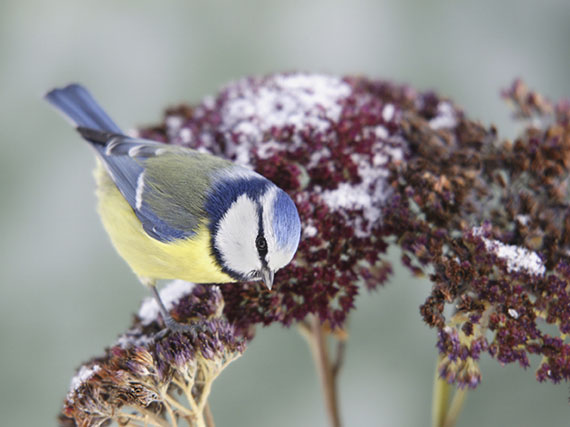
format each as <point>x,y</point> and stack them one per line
<point>258,232</point>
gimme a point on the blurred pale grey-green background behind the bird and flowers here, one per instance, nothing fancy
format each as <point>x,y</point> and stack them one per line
<point>66,294</point>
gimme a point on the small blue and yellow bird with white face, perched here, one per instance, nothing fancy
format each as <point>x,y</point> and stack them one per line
<point>173,212</point>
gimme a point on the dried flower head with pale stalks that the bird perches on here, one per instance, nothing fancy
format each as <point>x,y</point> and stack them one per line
<point>138,380</point>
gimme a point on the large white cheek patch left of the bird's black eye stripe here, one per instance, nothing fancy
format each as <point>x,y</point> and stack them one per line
<point>235,239</point>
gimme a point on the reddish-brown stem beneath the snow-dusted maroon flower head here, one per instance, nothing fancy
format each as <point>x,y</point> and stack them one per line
<point>327,372</point>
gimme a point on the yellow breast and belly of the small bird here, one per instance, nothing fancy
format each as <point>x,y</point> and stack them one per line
<point>187,259</point>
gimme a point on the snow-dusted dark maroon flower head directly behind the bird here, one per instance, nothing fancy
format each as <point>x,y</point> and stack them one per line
<point>330,143</point>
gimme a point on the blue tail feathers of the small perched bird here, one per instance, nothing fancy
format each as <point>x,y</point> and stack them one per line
<point>78,104</point>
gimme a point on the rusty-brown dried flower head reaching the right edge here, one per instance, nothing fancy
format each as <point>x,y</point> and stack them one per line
<point>492,218</point>
